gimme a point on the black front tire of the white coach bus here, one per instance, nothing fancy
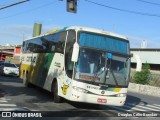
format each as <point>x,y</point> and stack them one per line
<point>56,97</point>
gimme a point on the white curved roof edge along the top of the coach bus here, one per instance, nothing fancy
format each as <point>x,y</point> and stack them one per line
<point>79,28</point>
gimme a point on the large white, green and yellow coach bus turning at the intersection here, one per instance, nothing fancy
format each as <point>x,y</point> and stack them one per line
<point>79,64</point>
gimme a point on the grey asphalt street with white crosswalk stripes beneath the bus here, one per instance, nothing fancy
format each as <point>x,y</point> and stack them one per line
<point>19,98</point>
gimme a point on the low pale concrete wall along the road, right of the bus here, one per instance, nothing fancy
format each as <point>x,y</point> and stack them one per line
<point>144,89</point>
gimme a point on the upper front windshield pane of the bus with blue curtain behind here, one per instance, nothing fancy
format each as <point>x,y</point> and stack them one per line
<point>103,42</point>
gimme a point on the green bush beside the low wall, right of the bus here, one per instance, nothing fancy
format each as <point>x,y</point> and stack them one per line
<point>143,76</point>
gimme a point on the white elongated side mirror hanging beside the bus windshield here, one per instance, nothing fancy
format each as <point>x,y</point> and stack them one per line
<point>75,52</point>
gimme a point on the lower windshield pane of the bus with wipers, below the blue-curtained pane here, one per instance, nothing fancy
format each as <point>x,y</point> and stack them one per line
<point>94,67</point>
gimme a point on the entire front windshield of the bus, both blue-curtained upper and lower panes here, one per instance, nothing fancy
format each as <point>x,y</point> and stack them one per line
<point>102,60</point>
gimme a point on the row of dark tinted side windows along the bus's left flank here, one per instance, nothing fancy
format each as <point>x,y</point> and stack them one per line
<point>54,42</point>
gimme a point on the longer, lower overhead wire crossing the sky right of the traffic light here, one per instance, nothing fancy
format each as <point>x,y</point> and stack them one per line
<point>123,10</point>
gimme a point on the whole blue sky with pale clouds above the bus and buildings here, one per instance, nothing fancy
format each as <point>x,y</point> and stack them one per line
<point>138,20</point>
